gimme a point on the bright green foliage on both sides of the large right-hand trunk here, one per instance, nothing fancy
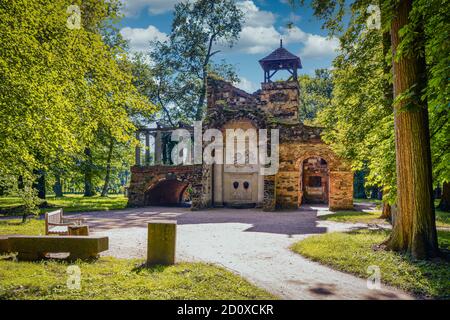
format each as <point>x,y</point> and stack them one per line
<point>359,123</point>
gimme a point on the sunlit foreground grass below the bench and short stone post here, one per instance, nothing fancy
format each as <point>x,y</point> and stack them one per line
<point>110,278</point>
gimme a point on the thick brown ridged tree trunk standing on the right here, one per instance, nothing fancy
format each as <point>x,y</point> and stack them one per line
<point>414,230</point>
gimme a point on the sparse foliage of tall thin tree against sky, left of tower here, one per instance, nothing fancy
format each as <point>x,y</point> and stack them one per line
<point>182,63</point>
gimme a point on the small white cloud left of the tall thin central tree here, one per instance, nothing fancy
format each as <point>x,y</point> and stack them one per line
<point>139,38</point>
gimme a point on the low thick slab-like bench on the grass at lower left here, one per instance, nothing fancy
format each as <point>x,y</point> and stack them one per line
<point>32,248</point>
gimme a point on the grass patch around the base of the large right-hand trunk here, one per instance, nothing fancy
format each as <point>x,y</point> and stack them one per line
<point>352,252</point>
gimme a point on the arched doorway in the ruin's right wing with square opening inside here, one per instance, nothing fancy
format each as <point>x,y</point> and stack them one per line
<point>314,180</point>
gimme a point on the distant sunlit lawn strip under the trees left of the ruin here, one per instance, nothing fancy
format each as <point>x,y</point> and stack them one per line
<point>70,203</point>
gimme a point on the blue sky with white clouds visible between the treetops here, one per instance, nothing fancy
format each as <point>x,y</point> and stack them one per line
<point>265,24</point>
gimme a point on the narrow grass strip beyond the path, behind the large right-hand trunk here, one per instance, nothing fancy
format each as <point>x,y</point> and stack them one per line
<point>442,218</point>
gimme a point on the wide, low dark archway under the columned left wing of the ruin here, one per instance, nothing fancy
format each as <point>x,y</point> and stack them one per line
<point>168,192</point>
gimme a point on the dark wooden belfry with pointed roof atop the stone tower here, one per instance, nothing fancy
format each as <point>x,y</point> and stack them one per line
<point>280,59</point>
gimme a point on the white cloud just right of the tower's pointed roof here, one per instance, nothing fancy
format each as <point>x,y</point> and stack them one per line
<point>319,47</point>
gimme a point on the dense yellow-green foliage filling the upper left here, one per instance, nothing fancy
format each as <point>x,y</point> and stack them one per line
<point>60,86</point>
